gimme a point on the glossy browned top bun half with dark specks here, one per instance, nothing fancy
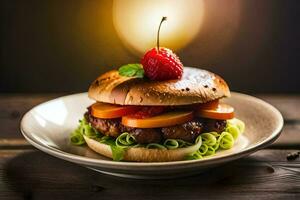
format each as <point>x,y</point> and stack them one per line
<point>196,86</point>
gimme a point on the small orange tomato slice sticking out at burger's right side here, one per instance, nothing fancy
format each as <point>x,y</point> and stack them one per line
<point>222,112</point>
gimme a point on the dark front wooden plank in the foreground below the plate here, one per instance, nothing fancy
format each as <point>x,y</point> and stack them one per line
<point>35,175</point>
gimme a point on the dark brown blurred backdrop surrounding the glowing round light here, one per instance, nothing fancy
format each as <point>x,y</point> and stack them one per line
<point>61,46</point>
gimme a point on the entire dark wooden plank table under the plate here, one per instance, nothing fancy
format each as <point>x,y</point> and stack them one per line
<point>27,173</point>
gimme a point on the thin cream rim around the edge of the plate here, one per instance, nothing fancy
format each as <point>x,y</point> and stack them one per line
<point>116,164</point>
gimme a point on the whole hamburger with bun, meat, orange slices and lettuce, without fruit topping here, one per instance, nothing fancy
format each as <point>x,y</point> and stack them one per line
<point>139,119</point>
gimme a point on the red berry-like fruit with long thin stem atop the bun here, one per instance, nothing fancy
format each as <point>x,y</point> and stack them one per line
<point>161,63</point>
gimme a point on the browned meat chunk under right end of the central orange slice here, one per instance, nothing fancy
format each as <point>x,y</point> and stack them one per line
<point>187,131</point>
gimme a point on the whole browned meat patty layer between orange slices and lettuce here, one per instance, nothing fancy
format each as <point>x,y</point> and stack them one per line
<point>188,131</point>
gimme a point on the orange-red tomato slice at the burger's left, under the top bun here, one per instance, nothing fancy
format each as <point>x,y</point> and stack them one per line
<point>108,111</point>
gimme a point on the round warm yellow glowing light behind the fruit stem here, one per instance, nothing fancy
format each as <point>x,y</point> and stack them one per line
<point>136,22</point>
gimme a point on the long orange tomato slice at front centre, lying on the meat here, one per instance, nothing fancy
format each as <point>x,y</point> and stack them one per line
<point>162,120</point>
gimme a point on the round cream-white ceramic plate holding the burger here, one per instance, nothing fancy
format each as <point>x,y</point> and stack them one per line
<point>48,126</point>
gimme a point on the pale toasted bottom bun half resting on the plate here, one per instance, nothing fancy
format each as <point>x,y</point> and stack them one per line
<point>143,154</point>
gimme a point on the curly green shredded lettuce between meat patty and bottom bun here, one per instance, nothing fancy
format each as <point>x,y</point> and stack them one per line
<point>211,142</point>
